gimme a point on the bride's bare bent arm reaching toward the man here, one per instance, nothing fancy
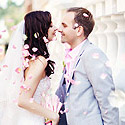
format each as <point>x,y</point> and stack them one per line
<point>32,79</point>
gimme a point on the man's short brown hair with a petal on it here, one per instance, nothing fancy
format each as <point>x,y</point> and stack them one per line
<point>83,18</point>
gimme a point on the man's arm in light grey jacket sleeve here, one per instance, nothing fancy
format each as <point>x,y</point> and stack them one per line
<point>100,76</point>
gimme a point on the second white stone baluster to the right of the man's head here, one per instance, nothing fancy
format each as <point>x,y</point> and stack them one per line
<point>112,42</point>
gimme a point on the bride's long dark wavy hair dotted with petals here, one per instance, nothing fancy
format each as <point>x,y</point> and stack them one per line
<point>37,24</point>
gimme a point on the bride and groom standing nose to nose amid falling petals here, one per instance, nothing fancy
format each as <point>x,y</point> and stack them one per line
<point>85,85</point>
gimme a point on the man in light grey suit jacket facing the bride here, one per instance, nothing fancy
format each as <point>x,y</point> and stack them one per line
<point>87,80</point>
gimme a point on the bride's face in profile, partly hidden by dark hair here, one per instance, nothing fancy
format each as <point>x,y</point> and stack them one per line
<point>51,32</point>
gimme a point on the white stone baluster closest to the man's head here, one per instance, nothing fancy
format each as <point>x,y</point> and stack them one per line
<point>102,42</point>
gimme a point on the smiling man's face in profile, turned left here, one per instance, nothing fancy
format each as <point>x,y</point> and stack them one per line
<point>68,33</point>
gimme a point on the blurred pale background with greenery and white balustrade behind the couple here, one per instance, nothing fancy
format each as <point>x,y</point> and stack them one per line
<point>108,34</point>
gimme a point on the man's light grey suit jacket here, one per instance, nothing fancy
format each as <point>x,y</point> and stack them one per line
<point>87,102</point>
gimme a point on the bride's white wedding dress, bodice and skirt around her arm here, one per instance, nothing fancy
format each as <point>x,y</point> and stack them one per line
<point>20,116</point>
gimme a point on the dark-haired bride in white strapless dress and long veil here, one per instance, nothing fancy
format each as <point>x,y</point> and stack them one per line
<point>25,71</point>
